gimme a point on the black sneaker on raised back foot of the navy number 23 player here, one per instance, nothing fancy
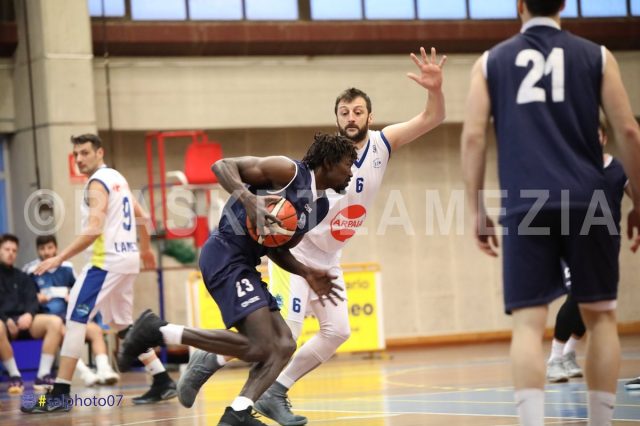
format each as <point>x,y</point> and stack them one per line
<point>144,334</point>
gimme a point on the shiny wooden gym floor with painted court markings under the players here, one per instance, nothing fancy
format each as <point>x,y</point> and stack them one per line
<point>453,385</point>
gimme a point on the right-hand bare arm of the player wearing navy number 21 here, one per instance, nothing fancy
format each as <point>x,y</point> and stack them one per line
<point>617,108</point>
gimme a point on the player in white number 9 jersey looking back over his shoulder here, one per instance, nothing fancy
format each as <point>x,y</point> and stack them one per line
<point>109,238</point>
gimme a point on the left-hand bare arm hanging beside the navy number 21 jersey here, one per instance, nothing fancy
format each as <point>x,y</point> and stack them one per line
<point>474,152</point>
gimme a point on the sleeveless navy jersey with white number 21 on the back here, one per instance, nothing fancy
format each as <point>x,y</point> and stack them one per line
<point>544,85</point>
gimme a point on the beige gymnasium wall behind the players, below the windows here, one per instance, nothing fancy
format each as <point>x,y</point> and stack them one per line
<point>435,281</point>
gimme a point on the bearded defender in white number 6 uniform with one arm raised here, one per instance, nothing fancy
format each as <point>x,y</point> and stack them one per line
<point>321,247</point>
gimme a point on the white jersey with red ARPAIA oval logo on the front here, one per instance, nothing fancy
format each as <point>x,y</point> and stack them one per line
<point>347,212</point>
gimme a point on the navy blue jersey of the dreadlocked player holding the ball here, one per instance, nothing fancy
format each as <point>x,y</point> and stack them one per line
<point>301,192</point>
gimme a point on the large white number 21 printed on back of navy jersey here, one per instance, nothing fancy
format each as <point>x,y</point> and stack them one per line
<point>554,65</point>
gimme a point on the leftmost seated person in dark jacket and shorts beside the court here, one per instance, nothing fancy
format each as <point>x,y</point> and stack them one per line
<point>19,319</point>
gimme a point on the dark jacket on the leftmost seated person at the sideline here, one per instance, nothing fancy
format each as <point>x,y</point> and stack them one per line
<point>17,293</point>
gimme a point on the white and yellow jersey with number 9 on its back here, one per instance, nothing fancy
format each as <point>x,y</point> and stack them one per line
<point>116,249</point>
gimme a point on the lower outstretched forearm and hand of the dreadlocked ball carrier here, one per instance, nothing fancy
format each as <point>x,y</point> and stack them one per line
<point>321,282</point>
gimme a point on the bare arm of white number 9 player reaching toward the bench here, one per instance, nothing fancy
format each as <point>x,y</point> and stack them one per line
<point>97,198</point>
